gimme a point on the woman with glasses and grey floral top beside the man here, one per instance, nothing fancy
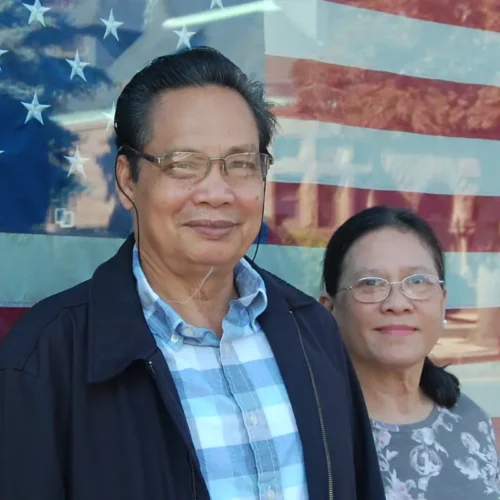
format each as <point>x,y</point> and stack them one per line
<point>384,278</point>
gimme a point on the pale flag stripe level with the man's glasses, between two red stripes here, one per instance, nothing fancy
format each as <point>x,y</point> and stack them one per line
<point>326,153</point>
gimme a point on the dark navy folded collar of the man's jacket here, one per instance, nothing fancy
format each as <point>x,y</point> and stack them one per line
<point>118,332</point>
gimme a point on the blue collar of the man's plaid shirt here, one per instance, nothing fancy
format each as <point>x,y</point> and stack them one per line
<point>161,317</point>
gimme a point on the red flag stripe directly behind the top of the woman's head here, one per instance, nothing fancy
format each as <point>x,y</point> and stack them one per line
<point>307,214</point>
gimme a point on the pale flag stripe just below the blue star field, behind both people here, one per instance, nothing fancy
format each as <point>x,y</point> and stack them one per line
<point>41,265</point>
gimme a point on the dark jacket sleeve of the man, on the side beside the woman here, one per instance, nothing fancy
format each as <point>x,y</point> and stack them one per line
<point>369,484</point>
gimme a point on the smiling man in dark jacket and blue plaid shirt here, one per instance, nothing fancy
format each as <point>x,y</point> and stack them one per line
<point>181,369</point>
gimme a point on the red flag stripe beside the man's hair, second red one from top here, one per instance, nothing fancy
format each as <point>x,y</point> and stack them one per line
<point>382,100</point>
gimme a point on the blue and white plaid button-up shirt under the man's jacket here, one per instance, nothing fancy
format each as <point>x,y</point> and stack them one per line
<point>232,393</point>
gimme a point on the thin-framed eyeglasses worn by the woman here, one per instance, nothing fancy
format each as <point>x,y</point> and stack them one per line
<point>371,290</point>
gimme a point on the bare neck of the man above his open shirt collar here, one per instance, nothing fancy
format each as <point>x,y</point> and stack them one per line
<point>200,295</point>
